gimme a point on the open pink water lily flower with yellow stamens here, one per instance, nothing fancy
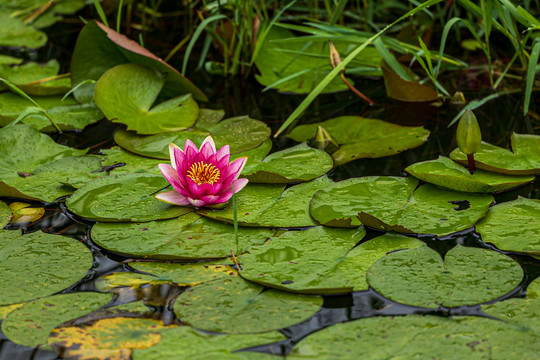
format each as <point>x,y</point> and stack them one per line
<point>201,177</point>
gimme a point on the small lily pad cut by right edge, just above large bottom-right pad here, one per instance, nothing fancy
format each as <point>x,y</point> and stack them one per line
<point>523,313</point>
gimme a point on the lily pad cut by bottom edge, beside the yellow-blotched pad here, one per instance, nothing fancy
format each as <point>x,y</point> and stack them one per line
<point>197,345</point>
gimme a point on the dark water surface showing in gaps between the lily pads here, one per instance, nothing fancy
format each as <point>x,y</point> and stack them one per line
<point>497,121</point>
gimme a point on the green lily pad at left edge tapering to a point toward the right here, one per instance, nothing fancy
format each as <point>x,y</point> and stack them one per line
<point>23,148</point>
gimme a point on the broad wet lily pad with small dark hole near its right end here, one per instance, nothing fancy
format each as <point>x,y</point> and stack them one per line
<point>392,203</point>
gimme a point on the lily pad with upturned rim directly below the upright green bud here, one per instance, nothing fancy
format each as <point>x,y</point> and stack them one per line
<point>449,174</point>
